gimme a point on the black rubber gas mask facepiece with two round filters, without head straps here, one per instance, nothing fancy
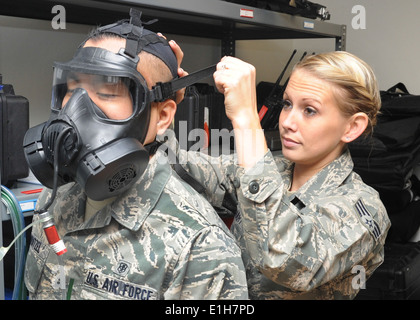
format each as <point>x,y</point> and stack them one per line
<point>105,156</point>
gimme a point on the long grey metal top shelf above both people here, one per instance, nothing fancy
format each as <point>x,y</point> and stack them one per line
<point>201,18</point>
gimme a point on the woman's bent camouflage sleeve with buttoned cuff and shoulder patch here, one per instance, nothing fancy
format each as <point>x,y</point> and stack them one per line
<point>304,246</point>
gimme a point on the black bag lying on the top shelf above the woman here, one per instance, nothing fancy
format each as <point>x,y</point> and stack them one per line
<point>302,8</point>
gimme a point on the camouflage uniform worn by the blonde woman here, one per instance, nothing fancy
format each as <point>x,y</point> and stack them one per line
<point>309,244</point>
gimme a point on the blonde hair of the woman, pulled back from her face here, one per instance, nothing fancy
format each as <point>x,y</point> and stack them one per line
<point>356,83</point>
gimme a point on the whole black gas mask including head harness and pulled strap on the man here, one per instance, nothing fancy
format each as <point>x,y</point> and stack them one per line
<point>83,141</point>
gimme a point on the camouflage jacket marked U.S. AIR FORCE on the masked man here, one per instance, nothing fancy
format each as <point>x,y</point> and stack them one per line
<point>160,240</point>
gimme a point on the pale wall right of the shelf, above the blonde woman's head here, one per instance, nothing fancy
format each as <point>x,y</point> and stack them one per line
<point>390,43</point>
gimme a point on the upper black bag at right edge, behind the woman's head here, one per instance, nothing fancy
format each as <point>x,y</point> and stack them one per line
<point>386,160</point>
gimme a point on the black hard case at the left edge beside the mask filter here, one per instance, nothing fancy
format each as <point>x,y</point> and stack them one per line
<point>14,121</point>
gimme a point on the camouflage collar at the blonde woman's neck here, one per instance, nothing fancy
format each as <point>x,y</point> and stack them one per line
<point>325,181</point>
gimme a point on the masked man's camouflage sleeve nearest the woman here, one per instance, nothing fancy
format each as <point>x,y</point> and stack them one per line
<point>210,267</point>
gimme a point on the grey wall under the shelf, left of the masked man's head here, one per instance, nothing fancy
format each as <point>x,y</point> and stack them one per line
<point>28,49</point>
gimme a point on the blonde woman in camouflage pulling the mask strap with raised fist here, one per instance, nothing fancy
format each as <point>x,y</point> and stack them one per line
<point>308,227</point>
